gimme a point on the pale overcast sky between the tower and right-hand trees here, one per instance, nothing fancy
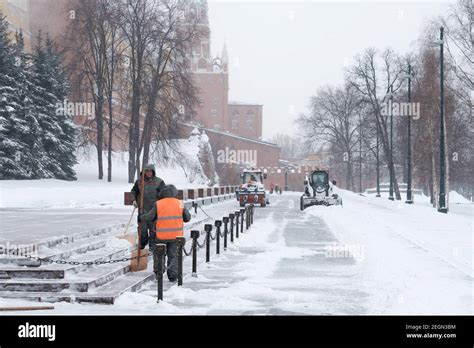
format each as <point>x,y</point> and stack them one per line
<point>282,51</point>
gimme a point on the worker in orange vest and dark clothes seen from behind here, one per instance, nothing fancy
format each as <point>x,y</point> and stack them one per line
<point>168,216</point>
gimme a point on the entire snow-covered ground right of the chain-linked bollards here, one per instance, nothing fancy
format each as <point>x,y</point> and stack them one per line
<point>354,259</point>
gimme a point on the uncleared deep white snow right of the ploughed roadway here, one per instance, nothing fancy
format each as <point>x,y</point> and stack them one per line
<point>416,259</point>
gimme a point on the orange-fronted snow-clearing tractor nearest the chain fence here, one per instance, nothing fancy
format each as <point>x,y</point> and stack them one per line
<point>252,190</point>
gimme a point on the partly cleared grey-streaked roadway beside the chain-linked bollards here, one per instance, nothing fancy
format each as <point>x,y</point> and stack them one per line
<point>280,266</point>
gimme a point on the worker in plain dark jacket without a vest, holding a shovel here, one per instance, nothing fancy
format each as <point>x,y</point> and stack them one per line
<point>152,187</point>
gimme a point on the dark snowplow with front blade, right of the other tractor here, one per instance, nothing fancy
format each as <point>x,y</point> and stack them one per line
<point>318,190</point>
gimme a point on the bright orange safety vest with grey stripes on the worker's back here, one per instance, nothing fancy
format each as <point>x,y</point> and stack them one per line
<point>169,220</point>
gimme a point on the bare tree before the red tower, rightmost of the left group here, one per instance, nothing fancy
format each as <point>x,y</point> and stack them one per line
<point>171,92</point>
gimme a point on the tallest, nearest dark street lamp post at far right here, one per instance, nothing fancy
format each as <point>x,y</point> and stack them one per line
<point>442,207</point>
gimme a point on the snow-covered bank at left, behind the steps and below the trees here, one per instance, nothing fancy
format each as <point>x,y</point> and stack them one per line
<point>184,171</point>
